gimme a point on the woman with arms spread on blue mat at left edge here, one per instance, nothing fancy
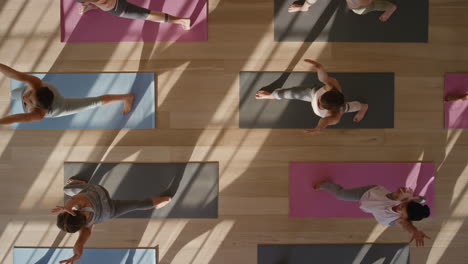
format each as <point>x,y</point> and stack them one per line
<point>41,99</point>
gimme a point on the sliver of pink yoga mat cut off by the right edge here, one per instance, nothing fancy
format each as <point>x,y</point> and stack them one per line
<point>456,113</point>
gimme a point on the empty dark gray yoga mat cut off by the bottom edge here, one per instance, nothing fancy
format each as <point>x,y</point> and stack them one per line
<point>334,254</point>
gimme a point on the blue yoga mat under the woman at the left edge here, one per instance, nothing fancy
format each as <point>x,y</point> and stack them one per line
<point>78,85</point>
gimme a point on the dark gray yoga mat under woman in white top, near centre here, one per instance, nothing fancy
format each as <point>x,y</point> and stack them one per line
<point>375,89</point>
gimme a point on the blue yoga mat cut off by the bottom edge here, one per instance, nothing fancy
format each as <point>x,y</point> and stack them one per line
<point>90,255</point>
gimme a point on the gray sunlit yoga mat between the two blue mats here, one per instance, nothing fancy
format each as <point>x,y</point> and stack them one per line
<point>194,186</point>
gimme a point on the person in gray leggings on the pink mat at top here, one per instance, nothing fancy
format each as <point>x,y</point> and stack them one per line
<point>122,8</point>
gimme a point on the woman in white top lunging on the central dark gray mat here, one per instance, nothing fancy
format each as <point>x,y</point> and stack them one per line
<point>327,99</point>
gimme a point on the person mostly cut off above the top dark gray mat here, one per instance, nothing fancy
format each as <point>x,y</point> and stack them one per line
<point>360,7</point>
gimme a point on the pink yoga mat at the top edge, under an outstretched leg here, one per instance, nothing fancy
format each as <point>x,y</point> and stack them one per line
<point>100,26</point>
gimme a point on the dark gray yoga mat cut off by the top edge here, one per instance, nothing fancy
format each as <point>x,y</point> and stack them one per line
<point>333,21</point>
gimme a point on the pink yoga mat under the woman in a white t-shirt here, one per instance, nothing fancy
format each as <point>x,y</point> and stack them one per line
<point>304,202</point>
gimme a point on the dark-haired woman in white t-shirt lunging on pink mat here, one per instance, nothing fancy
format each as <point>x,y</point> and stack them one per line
<point>389,208</point>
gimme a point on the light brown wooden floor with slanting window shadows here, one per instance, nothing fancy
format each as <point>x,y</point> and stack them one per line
<point>197,121</point>
